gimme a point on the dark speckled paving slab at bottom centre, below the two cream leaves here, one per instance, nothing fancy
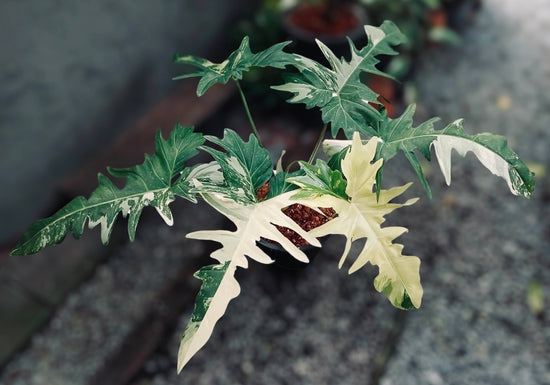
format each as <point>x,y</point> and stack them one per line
<point>311,327</point>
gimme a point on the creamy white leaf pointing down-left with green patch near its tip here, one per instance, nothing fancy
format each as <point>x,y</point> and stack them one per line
<point>253,222</point>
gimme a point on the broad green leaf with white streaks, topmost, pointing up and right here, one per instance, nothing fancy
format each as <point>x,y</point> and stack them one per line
<point>338,91</point>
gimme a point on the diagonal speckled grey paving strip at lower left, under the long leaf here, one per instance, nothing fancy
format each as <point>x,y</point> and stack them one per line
<point>95,319</point>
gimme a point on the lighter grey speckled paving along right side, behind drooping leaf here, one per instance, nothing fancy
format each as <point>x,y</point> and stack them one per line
<point>476,325</point>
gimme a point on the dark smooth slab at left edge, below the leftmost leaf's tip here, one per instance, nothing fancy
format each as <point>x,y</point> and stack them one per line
<point>33,286</point>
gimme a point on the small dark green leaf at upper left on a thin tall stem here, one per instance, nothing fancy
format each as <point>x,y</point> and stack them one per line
<point>240,61</point>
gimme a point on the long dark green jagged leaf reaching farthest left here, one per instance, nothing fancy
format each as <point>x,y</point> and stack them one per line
<point>149,184</point>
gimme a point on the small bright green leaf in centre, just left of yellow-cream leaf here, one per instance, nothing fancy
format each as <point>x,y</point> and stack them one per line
<point>319,179</point>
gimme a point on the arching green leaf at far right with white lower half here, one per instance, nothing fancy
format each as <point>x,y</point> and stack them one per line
<point>491,150</point>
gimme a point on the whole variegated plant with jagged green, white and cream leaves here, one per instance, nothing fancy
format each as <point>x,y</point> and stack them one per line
<point>349,181</point>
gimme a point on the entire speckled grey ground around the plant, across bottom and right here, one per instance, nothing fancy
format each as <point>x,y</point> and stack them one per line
<point>485,264</point>
